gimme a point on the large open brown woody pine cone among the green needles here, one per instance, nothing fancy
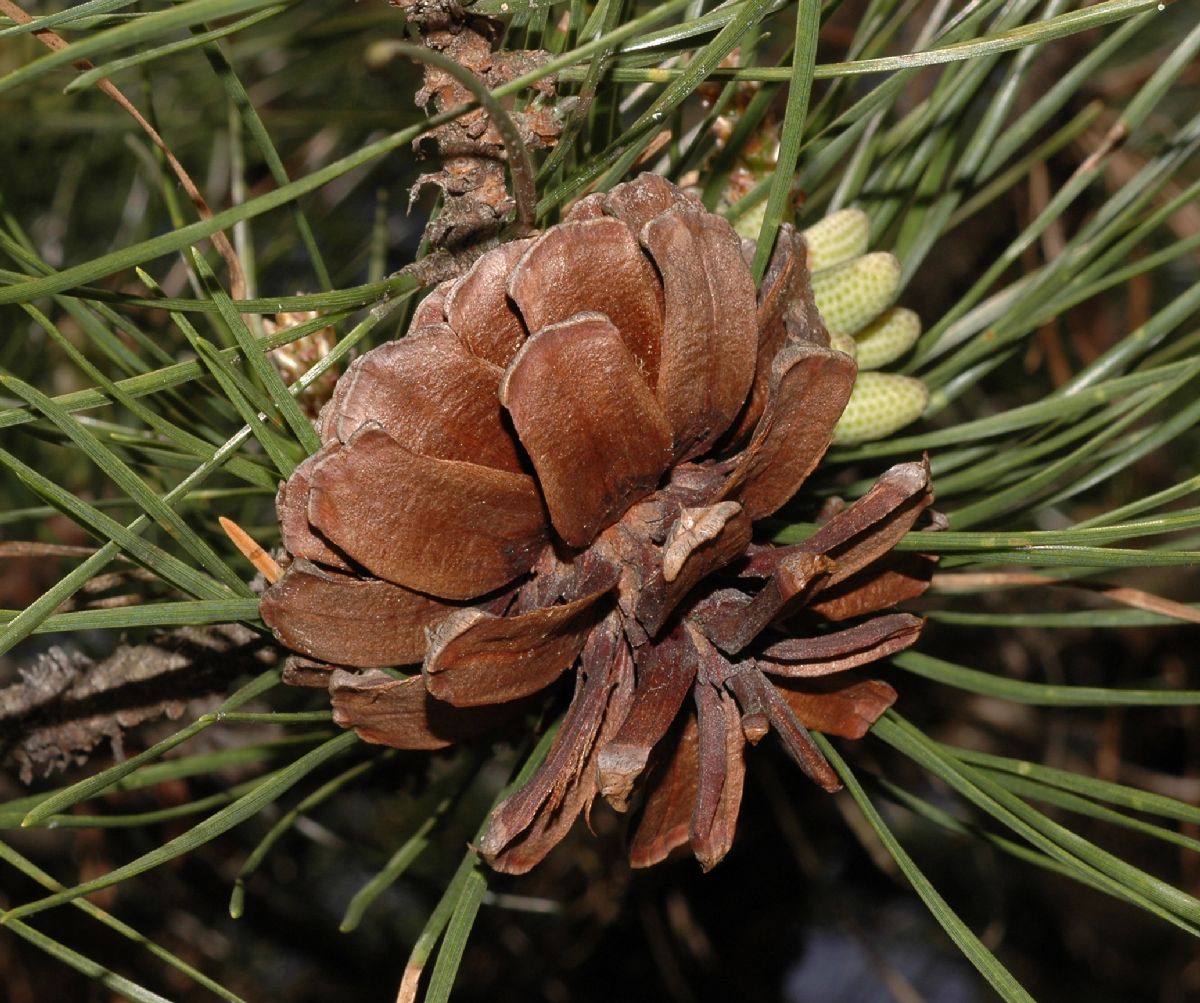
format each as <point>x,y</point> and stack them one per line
<point>561,467</point>
